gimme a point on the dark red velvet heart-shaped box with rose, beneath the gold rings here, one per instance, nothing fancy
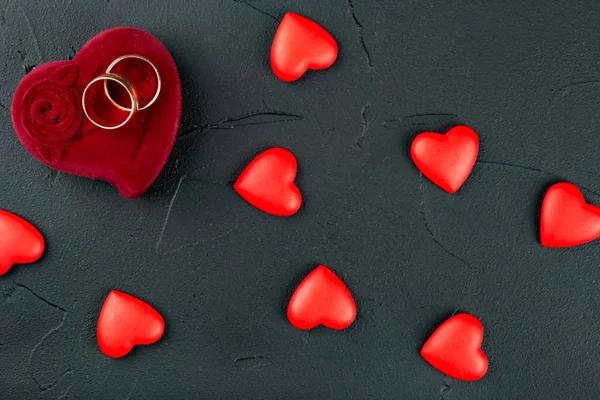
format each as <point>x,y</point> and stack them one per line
<point>48,116</point>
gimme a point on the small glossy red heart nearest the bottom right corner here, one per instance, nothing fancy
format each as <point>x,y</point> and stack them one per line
<point>455,348</point>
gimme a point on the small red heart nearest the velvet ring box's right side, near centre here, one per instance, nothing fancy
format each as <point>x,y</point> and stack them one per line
<point>268,183</point>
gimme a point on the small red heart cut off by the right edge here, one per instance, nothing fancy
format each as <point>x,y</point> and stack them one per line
<point>566,219</point>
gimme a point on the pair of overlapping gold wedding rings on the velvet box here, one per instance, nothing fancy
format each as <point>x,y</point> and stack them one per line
<point>109,76</point>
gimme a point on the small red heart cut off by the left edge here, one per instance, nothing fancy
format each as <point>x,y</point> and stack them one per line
<point>20,242</point>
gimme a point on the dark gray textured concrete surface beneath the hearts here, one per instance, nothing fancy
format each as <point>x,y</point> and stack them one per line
<point>524,75</point>
